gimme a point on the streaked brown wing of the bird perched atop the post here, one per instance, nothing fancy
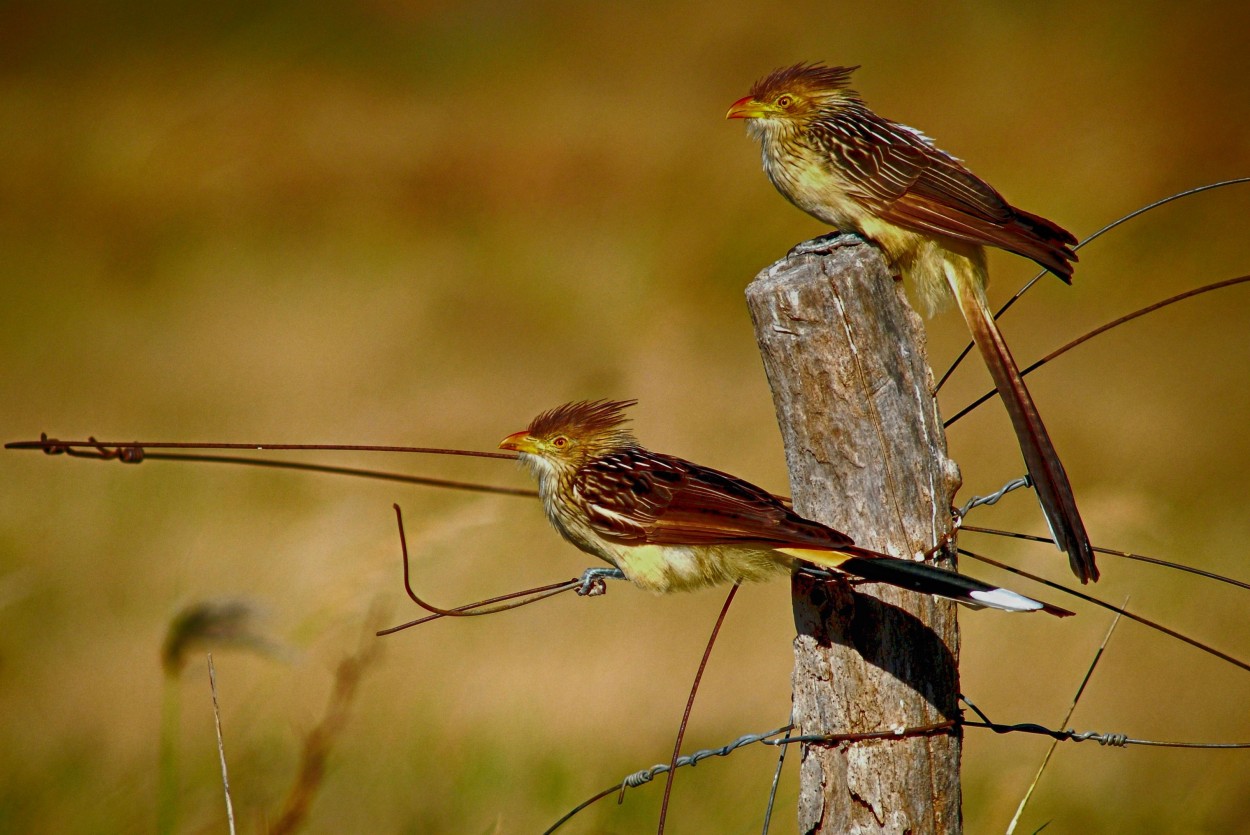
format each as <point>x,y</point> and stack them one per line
<point>904,179</point>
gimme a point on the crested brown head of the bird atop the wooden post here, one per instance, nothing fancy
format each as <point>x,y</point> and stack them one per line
<point>796,96</point>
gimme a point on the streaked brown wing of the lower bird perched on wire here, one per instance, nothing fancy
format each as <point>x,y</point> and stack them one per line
<point>638,498</point>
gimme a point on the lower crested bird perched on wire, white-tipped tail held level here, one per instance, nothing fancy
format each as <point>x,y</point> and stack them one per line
<point>667,524</point>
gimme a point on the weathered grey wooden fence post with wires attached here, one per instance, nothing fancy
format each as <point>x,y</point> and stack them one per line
<point>867,453</point>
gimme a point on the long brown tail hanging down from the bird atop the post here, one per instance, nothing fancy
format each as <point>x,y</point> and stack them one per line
<point>1046,469</point>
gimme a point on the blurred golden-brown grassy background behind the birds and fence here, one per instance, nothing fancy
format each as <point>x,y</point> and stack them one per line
<point>421,224</point>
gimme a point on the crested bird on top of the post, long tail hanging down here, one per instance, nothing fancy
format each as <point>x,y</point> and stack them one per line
<point>832,157</point>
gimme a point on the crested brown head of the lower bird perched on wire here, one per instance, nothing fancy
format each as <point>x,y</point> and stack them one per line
<point>571,436</point>
